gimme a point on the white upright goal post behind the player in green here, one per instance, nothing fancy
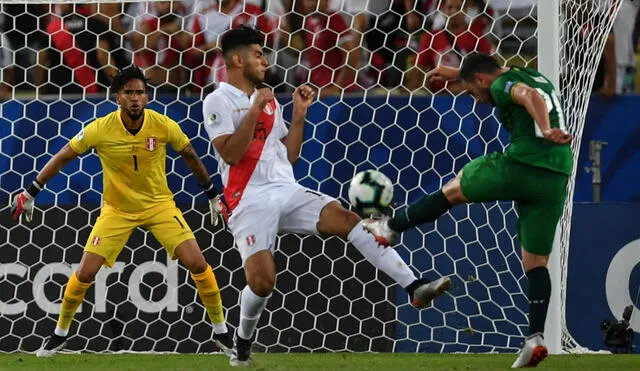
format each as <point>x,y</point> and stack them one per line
<point>549,65</point>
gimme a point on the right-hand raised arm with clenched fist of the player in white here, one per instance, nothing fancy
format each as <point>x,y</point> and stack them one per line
<point>302,99</point>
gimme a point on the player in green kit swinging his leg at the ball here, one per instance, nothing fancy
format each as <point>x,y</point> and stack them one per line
<point>533,171</point>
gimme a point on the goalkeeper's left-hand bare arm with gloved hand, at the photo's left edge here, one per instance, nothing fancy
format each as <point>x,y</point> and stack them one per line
<point>22,203</point>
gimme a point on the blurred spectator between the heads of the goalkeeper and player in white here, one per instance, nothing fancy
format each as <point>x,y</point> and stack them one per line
<point>159,55</point>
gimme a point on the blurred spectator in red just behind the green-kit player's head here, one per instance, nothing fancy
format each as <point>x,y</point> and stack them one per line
<point>446,46</point>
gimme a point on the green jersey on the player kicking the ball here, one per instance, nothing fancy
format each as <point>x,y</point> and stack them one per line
<point>527,144</point>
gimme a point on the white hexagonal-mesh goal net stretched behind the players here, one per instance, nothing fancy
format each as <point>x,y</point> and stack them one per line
<point>375,111</point>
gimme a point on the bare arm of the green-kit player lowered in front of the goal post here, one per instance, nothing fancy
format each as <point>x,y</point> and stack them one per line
<point>535,104</point>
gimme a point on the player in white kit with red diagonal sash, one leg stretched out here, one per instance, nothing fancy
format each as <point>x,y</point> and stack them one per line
<point>255,151</point>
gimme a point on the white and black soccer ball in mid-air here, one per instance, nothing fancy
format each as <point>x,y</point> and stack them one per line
<point>370,192</point>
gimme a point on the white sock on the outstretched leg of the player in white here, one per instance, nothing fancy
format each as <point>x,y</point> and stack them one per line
<point>385,259</point>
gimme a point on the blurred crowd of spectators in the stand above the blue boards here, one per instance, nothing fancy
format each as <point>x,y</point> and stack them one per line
<point>338,46</point>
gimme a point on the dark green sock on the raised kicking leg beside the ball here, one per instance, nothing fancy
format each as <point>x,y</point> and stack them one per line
<point>425,210</point>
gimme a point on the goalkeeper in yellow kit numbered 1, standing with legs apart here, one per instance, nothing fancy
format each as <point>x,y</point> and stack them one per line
<point>132,146</point>
